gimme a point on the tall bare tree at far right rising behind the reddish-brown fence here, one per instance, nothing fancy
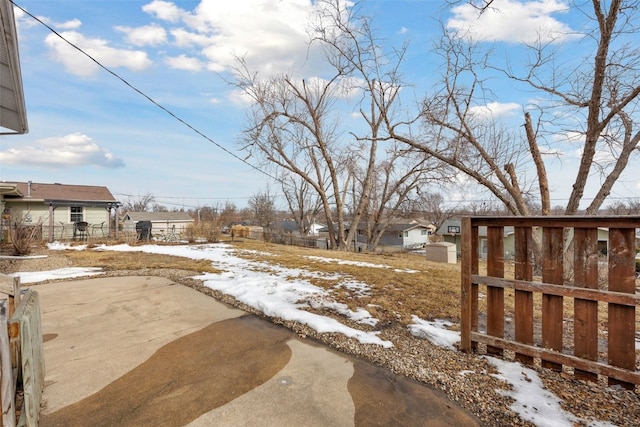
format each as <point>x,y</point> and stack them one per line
<point>606,92</point>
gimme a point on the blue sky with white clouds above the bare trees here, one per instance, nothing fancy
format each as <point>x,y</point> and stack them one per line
<point>153,112</point>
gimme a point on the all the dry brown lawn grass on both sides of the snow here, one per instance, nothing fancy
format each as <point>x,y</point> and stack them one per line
<point>432,291</point>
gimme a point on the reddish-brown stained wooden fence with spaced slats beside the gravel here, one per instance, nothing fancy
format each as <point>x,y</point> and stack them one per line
<point>562,300</point>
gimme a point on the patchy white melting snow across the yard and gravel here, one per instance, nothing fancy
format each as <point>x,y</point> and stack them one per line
<point>285,293</point>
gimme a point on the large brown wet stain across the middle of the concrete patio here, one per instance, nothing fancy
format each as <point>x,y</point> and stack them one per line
<point>186,378</point>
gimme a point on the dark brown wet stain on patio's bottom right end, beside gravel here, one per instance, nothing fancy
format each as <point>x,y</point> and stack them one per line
<point>382,398</point>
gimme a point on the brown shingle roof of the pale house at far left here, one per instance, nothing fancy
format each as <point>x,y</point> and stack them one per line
<point>81,193</point>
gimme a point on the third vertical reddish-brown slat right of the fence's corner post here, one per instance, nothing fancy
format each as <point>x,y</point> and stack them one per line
<point>552,305</point>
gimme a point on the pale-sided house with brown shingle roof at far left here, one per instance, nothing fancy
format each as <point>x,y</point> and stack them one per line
<point>57,208</point>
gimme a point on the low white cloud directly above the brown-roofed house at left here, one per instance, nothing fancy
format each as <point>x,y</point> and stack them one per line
<point>75,149</point>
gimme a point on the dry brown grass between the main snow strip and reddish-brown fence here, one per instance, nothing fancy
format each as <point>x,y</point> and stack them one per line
<point>409,284</point>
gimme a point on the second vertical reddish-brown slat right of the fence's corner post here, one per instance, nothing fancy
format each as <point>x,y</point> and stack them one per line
<point>523,299</point>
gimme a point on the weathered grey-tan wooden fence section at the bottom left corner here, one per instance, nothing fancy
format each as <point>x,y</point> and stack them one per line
<point>21,353</point>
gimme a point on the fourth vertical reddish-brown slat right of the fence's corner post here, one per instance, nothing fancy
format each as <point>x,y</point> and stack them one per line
<point>585,315</point>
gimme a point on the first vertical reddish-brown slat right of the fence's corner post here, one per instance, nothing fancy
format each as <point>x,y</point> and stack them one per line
<point>495,295</point>
